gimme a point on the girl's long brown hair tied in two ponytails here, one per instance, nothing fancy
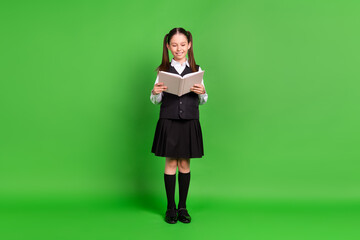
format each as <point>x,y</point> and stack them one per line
<point>165,64</point>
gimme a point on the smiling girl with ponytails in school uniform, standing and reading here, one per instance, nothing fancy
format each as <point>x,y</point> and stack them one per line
<point>178,134</point>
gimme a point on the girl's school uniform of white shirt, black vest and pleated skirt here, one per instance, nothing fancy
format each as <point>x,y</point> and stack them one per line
<point>178,132</point>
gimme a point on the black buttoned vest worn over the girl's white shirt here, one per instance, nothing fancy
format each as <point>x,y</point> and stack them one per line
<point>184,107</point>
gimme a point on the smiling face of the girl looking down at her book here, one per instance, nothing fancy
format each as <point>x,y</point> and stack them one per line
<point>179,47</point>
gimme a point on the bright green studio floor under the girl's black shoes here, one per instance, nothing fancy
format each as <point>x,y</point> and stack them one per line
<point>142,218</point>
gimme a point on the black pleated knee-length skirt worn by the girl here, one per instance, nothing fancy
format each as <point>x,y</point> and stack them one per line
<point>178,138</point>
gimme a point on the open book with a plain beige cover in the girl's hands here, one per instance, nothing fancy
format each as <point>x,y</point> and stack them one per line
<point>179,85</point>
